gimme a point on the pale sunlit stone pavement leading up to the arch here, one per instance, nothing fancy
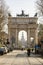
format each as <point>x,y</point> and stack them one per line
<point>18,57</point>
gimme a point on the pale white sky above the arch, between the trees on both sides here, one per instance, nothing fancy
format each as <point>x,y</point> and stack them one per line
<point>15,6</point>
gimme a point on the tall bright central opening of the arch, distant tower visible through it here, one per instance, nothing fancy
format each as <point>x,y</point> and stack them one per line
<point>22,38</point>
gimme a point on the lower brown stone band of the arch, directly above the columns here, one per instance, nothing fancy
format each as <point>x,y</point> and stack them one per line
<point>23,26</point>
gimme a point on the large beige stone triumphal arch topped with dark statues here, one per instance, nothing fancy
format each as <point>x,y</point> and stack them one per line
<point>22,22</point>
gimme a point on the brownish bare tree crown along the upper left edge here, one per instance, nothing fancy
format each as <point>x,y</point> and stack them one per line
<point>3,13</point>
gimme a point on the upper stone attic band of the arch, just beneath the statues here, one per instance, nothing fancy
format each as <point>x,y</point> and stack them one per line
<point>16,20</point>
